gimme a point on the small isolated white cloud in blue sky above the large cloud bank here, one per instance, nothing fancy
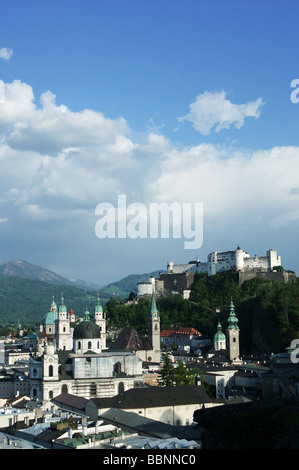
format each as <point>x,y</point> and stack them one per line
<point>214,110</point>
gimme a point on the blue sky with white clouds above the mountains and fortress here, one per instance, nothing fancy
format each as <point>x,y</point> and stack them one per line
<point>192,103</point>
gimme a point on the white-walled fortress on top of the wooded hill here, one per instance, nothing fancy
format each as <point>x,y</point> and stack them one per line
<point>179,277</point>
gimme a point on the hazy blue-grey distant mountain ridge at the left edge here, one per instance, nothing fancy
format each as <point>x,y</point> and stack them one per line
<point>24,269</point>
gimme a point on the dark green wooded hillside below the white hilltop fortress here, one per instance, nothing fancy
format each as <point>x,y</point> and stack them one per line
<point>268,312</point>
